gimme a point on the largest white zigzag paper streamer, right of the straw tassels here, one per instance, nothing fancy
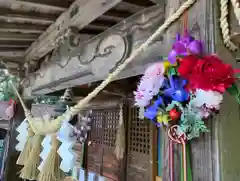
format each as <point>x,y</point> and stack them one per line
<point>65,150</point>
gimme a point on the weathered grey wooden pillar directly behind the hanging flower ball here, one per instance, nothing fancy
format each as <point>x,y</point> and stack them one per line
<point>201,24</point>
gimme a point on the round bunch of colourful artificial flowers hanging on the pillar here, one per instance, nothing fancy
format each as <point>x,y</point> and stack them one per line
<point>186,89</point>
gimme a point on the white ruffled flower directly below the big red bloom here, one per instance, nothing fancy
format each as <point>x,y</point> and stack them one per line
<point>209,99</point>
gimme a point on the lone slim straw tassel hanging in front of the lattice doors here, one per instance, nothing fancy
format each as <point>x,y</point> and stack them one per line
<point>120,141</point>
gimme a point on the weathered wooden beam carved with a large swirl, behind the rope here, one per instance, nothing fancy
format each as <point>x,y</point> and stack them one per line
<point>95,58</point>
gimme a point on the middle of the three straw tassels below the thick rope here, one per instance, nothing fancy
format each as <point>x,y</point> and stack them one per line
<point>30,170</point>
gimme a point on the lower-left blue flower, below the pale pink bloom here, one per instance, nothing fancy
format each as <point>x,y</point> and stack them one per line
<point>151,111</point>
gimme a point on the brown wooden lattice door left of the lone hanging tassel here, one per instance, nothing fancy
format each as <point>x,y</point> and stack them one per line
<point>101,157</point>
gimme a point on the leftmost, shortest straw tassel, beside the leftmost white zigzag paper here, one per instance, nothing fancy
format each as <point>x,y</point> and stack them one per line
<point>27,148</point>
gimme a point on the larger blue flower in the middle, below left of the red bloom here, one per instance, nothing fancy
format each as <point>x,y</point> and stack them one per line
<point>176,90</point>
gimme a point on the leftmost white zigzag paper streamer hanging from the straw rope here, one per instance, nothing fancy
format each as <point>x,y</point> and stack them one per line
<point>22,129</point>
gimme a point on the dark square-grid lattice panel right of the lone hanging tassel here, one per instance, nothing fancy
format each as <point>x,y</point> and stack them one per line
<point>139,133</point>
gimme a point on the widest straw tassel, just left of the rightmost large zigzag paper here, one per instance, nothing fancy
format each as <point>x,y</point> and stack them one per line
<point>51,170</point>
